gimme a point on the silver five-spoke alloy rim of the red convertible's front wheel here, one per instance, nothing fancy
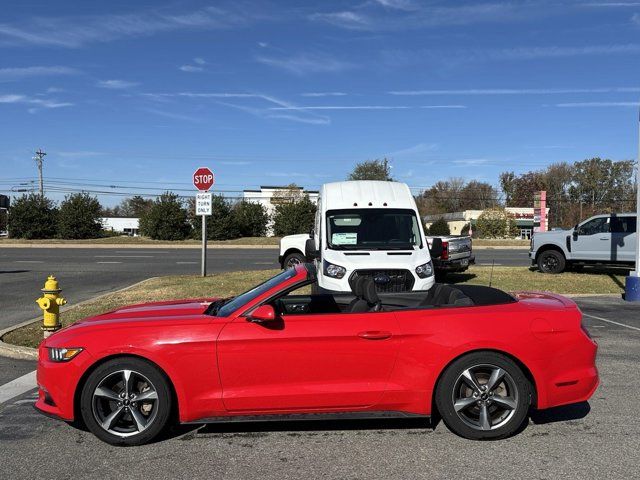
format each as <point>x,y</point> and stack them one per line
<point>125,403</point>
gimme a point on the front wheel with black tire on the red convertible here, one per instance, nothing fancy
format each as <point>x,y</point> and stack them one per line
<point>128,426</point>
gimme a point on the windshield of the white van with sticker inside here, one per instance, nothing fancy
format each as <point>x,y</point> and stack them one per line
<point>373,229</point>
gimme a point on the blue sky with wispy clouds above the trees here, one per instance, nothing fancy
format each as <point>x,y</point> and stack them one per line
<point>139,94</point>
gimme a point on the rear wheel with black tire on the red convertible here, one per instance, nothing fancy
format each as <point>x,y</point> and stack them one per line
<point>459,404</point>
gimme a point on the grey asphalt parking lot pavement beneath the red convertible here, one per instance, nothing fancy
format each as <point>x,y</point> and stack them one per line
<point>595,440</point>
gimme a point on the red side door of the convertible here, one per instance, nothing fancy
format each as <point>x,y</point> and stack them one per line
<point>334,361</point>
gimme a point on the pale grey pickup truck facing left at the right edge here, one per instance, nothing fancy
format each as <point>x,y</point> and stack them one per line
<point>607,239</point>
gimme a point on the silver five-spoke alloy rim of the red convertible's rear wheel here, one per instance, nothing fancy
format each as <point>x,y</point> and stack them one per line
<point>485,397</point>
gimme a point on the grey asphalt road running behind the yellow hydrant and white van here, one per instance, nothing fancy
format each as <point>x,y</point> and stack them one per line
<point>86,272</point>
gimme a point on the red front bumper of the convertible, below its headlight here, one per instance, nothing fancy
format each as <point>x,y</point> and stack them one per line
<point>57,383</point>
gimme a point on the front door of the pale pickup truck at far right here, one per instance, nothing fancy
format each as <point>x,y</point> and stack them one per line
<point>592,241</point>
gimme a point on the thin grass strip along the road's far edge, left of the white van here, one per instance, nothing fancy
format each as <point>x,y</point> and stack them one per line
<point>126,240</point>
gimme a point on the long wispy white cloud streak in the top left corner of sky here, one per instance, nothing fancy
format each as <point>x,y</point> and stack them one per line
<point>77,31</point>
